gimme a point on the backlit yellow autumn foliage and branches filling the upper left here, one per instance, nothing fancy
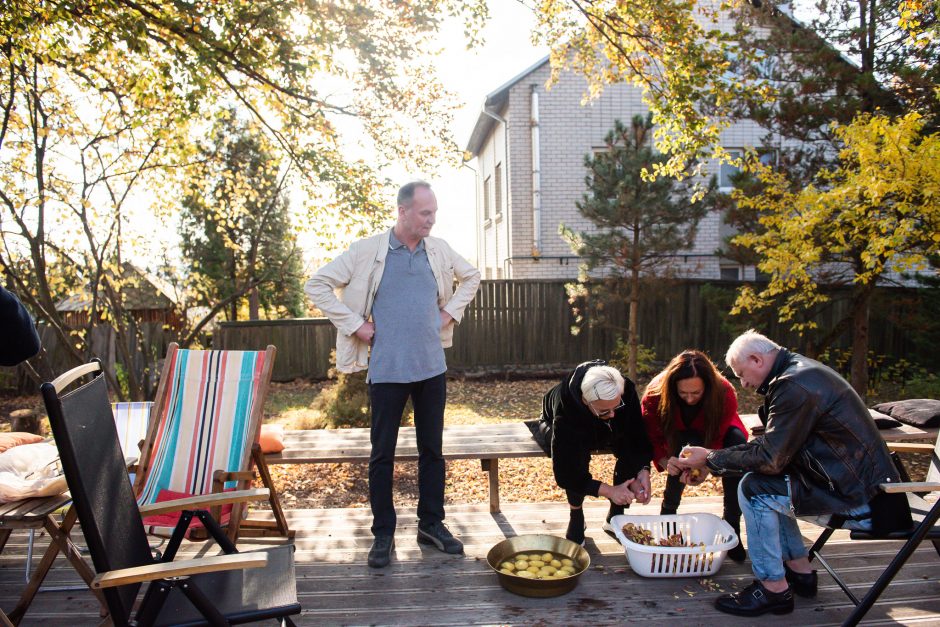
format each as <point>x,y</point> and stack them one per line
<point>104,101</point>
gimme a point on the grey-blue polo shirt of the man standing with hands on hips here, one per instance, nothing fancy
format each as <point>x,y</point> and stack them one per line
<point>407,343</point>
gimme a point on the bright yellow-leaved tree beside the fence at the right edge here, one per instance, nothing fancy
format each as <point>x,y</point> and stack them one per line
<point>875,213</point>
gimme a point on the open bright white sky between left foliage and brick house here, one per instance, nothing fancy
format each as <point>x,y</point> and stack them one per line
<point>471,75</point>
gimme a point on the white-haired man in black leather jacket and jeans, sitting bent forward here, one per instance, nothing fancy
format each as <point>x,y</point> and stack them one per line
<point>820,455</point>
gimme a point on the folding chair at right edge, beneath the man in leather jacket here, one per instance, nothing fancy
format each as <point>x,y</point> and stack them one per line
<point>925,515</point>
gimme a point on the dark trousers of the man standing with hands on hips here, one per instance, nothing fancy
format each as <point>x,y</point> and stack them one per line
<point>388,403</point>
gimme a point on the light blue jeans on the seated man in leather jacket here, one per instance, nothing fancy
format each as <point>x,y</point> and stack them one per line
<point>773,533</point>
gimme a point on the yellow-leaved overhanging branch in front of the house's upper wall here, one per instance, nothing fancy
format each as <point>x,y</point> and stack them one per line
<point>676,51</point>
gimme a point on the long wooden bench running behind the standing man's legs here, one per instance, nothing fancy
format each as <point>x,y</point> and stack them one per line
<point>487,442</point>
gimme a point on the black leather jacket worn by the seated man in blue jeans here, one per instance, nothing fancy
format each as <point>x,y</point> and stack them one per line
<point>819,432</point>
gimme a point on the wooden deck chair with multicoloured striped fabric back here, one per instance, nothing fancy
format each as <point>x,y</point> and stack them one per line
<point>204,434</point>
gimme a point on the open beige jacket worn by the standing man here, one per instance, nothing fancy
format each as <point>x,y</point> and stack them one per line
<point>357,273</point>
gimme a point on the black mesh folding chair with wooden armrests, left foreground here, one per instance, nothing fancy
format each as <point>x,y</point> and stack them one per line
<point>224,589</point>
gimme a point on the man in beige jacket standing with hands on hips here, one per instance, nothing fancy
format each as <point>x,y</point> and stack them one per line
<point>398,298</point>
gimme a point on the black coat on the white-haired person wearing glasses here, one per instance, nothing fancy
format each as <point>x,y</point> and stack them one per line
<point>568,431</point>
